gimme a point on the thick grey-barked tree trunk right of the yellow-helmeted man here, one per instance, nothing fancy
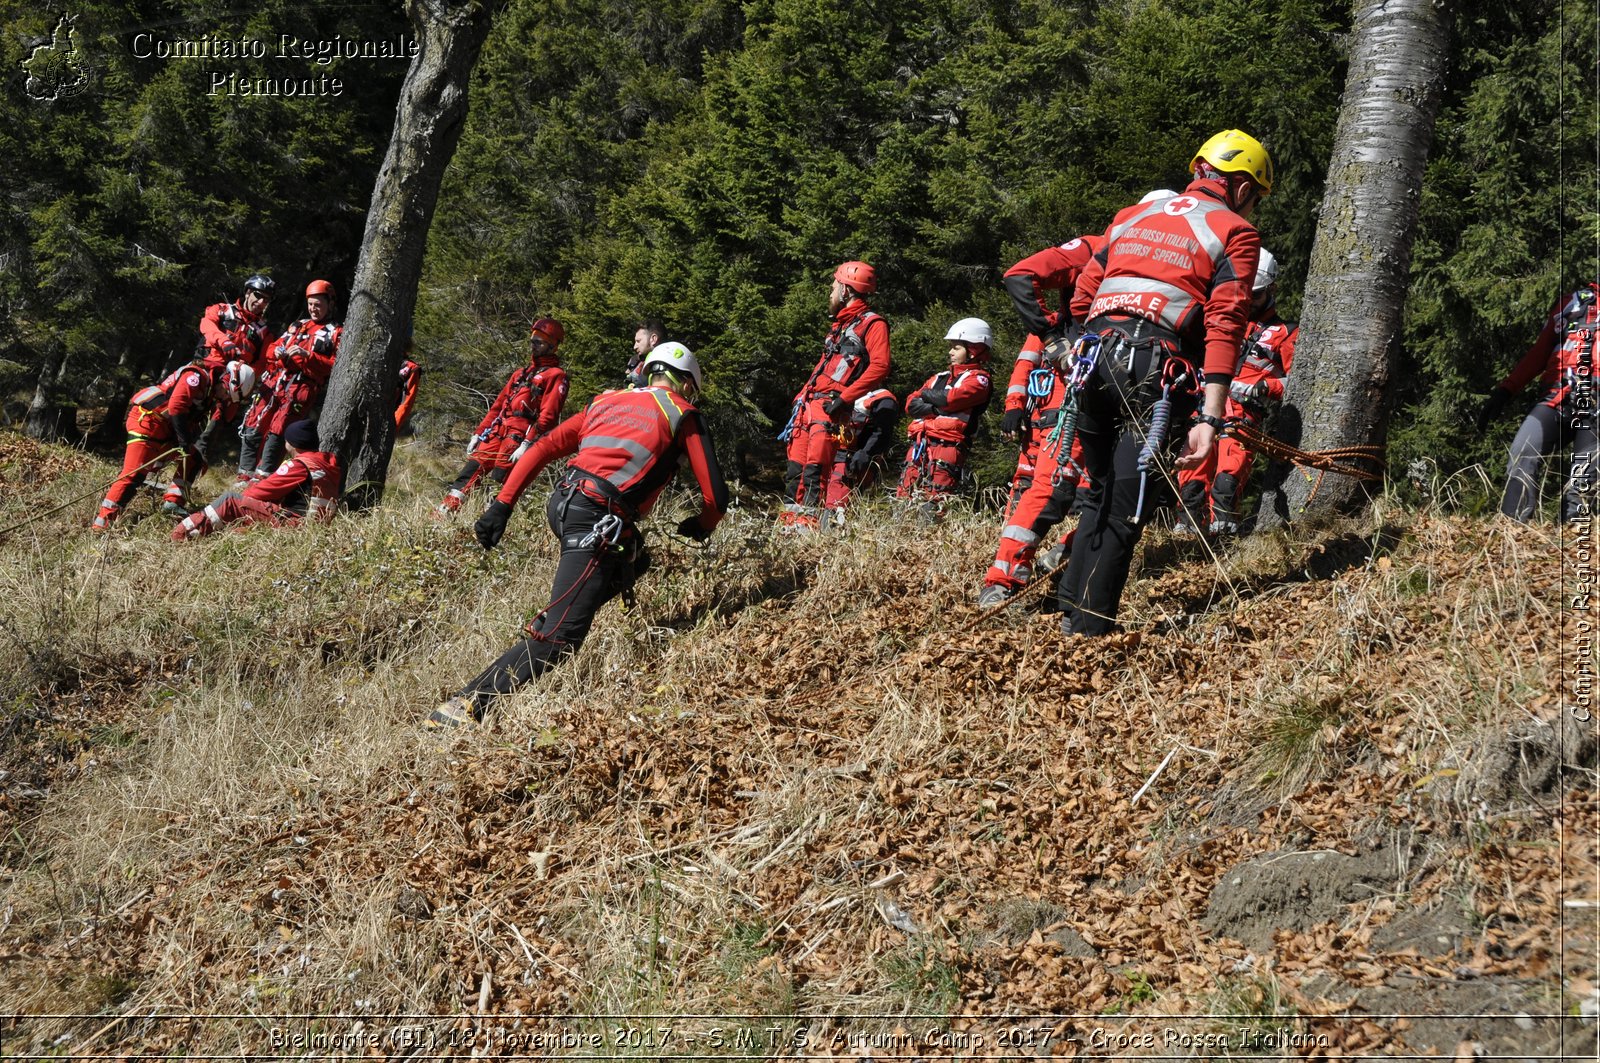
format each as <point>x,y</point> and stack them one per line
<point>1362,257</point>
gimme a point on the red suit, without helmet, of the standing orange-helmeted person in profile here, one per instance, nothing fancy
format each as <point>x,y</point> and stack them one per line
<point>855,361</point>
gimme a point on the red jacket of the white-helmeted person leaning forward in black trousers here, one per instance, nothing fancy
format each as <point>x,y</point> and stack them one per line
<point>633,441</point>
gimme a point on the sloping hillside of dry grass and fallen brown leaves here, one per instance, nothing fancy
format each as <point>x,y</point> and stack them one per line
<point>801,800</point>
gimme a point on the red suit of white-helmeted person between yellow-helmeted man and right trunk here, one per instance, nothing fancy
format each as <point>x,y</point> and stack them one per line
<point>1214,491</point>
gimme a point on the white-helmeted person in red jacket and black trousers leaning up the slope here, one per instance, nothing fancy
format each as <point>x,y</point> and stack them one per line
<point>628,446</point>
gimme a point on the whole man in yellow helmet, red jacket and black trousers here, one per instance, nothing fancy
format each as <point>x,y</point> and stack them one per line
<point>1164,300</point>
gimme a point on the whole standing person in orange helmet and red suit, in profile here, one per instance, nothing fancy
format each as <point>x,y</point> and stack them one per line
<point>855,361</point>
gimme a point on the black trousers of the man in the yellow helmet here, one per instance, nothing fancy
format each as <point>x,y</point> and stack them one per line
<point>1114,419</point>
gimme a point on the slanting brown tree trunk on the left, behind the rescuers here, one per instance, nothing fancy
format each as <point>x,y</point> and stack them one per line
<point>358,417</point>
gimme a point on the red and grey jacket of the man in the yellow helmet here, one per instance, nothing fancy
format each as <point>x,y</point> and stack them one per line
<point>1185,263</point>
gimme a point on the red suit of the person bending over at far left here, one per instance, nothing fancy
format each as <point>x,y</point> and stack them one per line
<point>164,425</point>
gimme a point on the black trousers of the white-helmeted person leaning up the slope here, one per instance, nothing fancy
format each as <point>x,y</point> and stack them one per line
<point>586,579</point>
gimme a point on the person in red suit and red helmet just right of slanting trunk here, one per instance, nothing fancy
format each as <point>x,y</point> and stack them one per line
<point>529,406</point>
